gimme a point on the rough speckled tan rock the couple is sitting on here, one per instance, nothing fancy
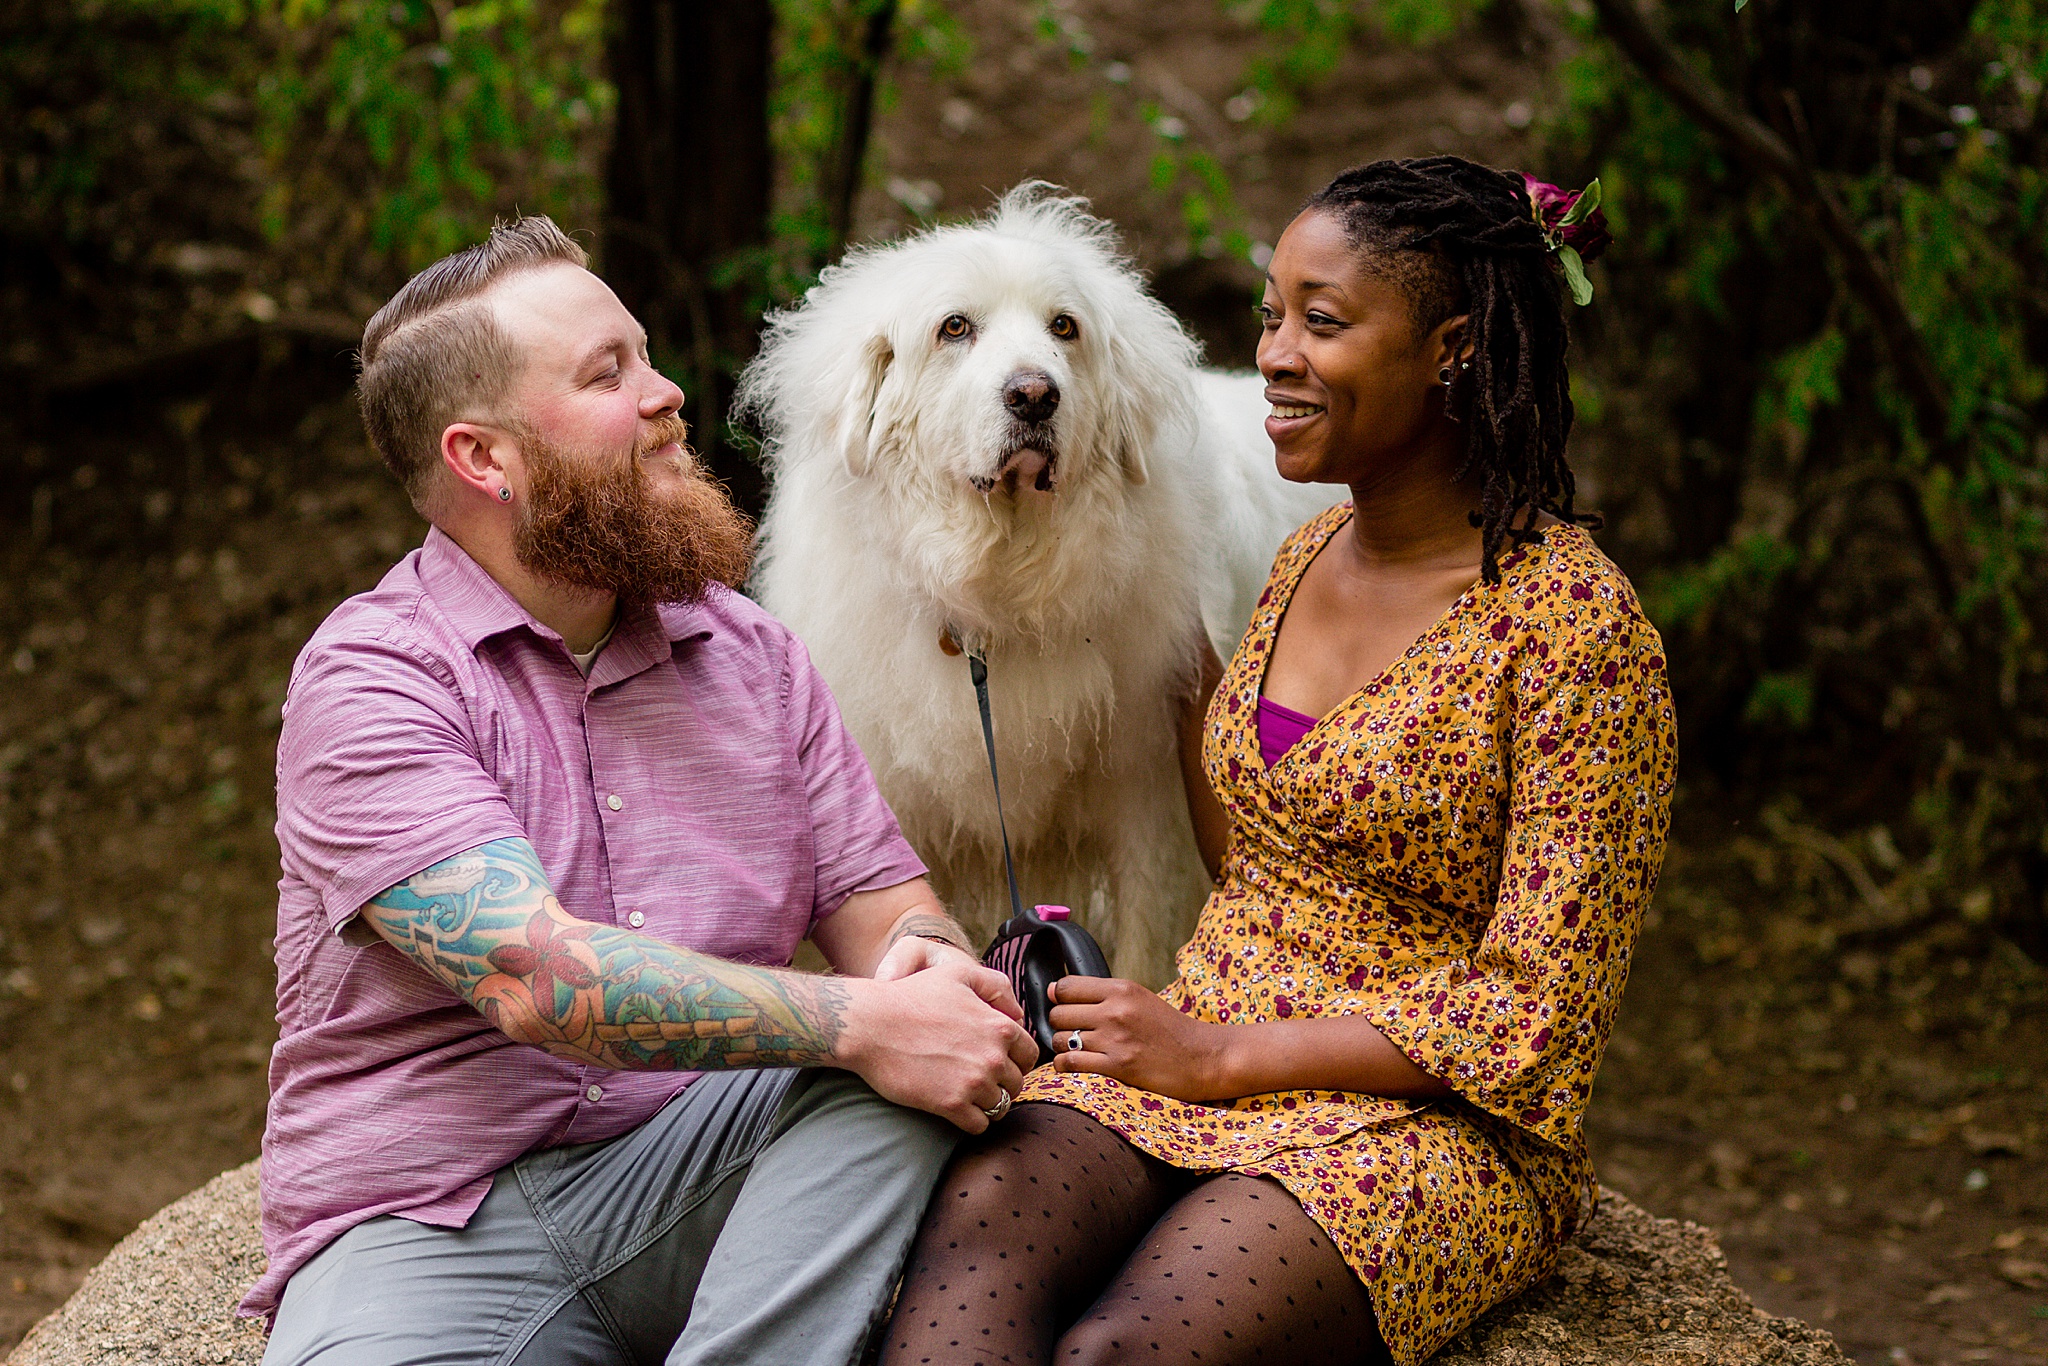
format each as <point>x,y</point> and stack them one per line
<point>1631,1289</point>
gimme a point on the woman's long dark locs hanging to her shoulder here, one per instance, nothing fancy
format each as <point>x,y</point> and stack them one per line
<point>1463,239</point>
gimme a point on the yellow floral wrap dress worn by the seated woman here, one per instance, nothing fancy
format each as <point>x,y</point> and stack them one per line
<point>1459,853</point>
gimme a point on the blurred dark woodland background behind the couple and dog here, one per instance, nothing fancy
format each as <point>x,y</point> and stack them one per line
<point>1811,402</point>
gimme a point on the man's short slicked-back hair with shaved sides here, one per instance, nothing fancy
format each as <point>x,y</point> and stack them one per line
<point>435,353</point>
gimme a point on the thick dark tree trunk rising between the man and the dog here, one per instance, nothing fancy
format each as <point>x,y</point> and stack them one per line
<point>689,194</point>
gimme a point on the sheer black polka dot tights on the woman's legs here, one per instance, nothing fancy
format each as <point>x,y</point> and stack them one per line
<point>1052,1240</point>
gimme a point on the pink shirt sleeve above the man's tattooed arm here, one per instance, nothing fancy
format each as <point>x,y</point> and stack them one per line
<point>378,773</point>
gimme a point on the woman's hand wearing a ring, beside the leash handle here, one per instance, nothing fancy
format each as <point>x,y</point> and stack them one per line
<point>1136,1037</point>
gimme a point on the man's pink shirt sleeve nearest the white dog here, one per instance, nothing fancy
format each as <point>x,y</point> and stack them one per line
<point>855,835</point>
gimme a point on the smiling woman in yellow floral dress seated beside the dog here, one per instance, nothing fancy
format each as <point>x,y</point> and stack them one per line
<point>1439,779</point>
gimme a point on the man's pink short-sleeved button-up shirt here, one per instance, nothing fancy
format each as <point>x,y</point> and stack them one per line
<point>699,787</point>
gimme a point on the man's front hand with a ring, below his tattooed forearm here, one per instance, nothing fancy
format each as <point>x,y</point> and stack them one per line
<point>941,1039</point>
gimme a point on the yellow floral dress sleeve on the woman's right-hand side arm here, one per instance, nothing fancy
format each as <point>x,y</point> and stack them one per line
<point>1521,1029</point>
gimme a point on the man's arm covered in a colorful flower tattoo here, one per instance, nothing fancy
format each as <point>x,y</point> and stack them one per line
<point>488,925</point>
